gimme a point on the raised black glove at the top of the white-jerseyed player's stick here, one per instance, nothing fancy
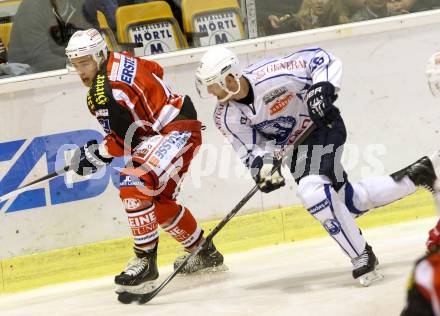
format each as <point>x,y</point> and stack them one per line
<point>319,99</point>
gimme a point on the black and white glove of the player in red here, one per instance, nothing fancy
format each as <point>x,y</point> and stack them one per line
<point>87,159</point>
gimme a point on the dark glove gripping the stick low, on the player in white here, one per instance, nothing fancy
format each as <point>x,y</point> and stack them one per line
<point>261,171</point>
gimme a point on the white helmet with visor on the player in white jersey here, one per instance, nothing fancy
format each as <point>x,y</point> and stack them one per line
<point>215,65</point>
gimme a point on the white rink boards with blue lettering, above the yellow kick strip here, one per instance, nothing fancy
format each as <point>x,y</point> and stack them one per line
<point>385,133</point>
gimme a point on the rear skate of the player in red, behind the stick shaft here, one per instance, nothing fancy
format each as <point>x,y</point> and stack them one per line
<point>208,260</point>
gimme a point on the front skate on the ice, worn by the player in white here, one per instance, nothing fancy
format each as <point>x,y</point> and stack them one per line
<point>364,267</point>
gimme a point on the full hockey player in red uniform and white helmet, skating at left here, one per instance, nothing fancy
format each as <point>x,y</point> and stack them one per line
<point>160,133</point>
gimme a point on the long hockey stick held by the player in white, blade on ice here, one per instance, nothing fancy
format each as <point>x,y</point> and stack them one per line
<point>127,297</point>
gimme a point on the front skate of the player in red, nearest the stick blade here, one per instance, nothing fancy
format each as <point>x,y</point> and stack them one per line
<point>139,275</point>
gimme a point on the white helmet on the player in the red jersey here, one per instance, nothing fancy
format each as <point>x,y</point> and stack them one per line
<point>85,43</point>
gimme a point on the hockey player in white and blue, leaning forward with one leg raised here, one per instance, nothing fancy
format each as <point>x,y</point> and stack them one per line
<point>263,108</point>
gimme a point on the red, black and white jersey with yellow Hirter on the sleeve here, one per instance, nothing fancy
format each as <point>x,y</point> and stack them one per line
<point>129,97</point>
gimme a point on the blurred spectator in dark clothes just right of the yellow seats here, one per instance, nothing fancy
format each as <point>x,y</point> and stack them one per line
<point>279,17</point>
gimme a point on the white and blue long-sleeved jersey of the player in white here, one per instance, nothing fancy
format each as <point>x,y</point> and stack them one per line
<point>278,114</point>
